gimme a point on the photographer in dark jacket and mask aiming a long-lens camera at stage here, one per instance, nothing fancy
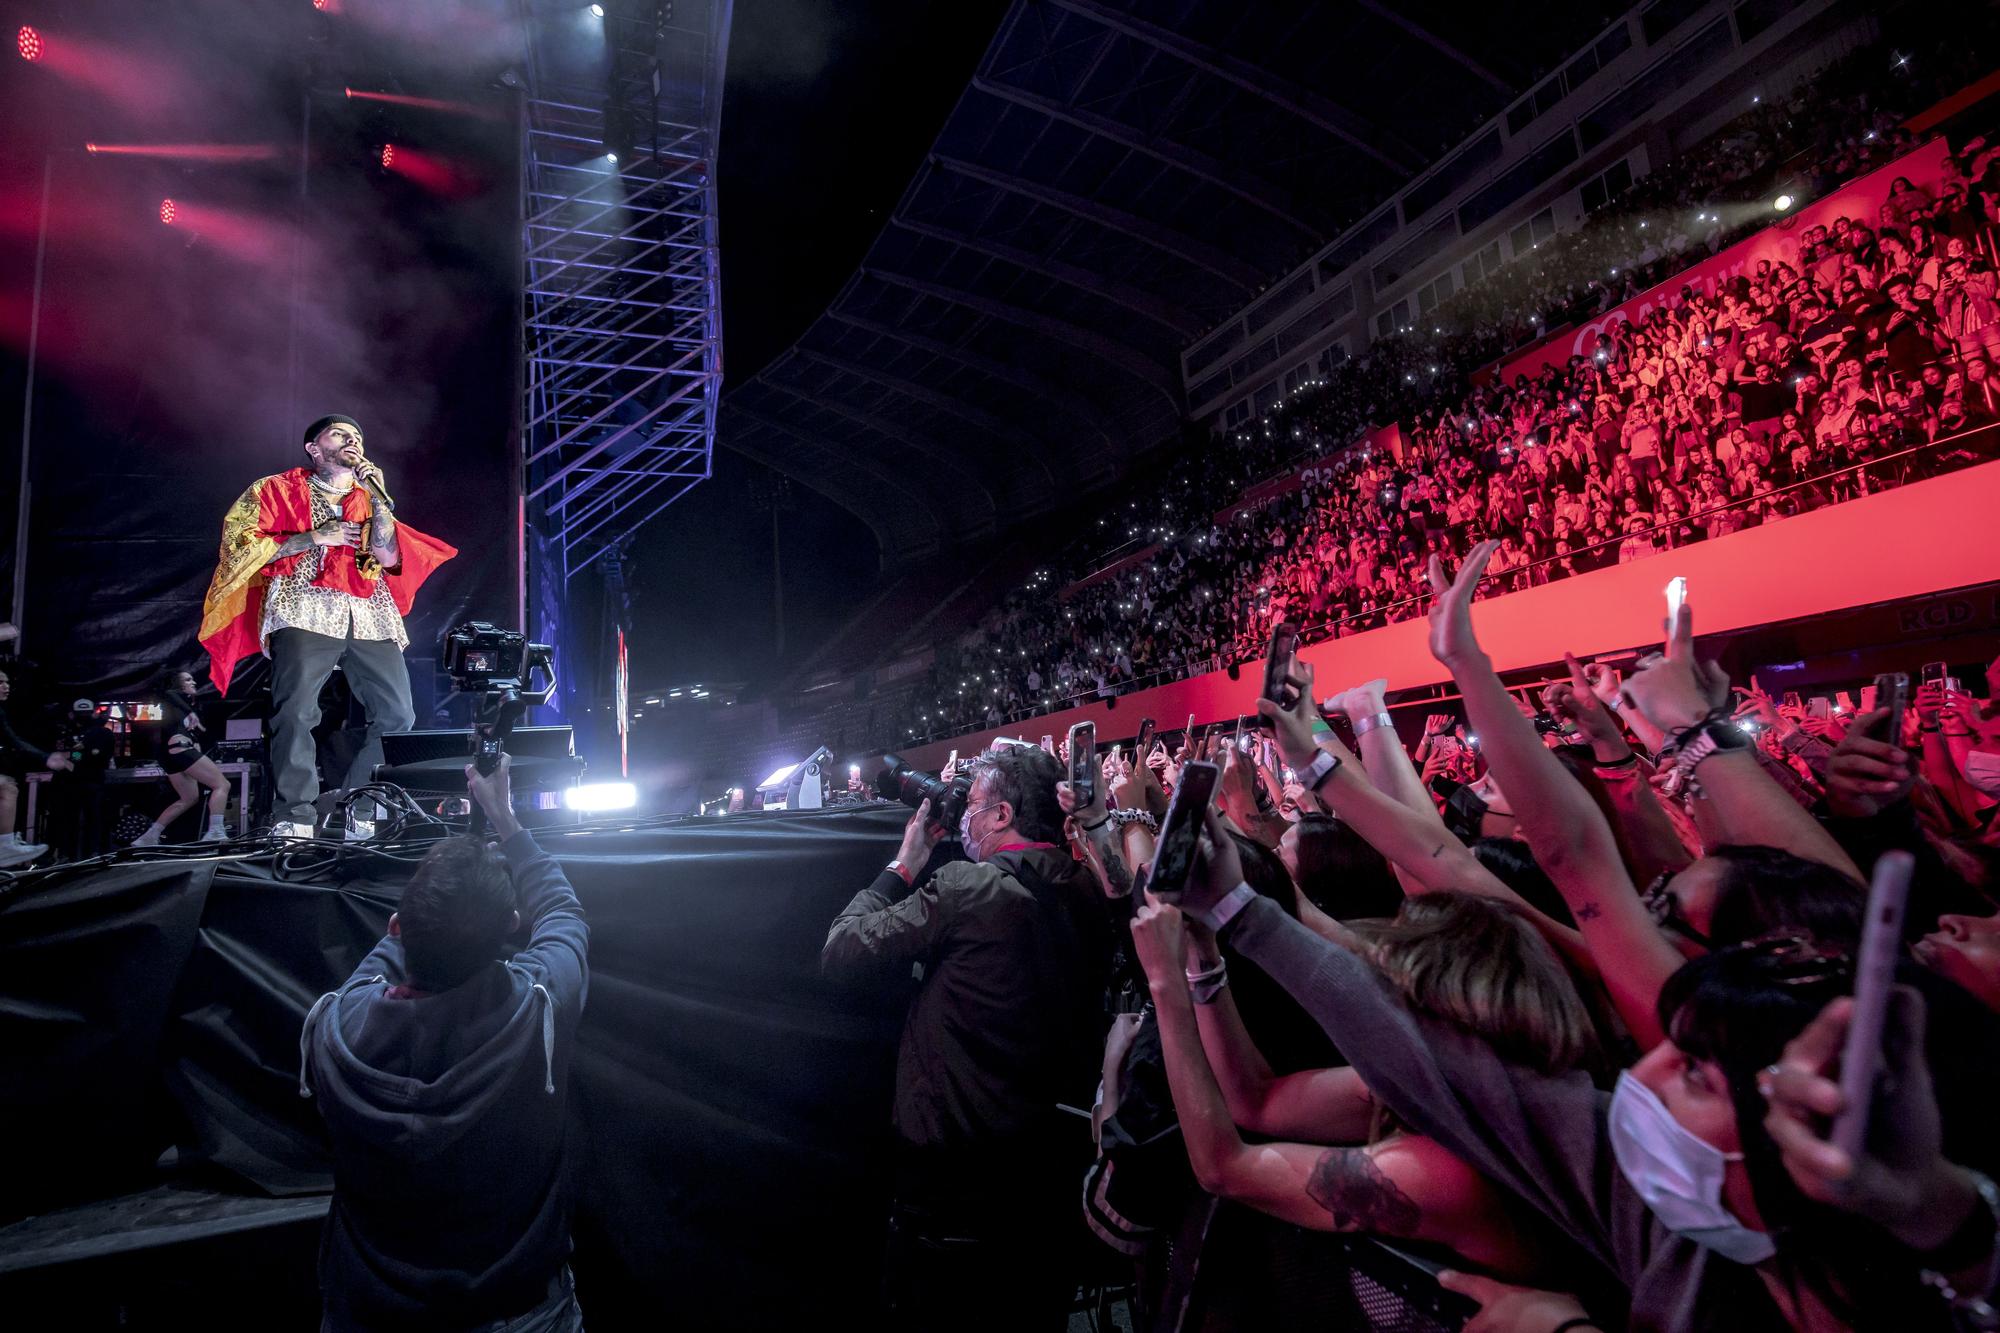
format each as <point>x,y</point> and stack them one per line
<point>1005,1026</point>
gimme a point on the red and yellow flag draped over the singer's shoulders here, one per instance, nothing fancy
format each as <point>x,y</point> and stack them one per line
<point>271,511</point>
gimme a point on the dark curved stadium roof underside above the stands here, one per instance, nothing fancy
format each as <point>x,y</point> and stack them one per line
<point>1115,181</point>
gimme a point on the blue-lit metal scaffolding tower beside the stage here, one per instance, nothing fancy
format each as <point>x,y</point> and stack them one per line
<point>621,275</point>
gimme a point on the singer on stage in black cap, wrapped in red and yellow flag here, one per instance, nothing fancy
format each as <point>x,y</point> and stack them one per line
<point>319,573</point>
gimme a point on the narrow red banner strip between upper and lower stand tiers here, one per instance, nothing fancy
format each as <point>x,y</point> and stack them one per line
<point>1861,201</point>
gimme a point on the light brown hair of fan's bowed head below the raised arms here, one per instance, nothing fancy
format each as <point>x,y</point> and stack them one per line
<point>1481,966</point>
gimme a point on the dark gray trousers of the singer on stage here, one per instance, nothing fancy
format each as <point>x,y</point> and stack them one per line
<point>301,663</point>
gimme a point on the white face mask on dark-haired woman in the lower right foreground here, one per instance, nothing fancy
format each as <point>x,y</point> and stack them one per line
<point>1679,1176</point>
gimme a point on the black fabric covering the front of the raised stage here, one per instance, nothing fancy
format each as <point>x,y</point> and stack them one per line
<point>729,1106</point>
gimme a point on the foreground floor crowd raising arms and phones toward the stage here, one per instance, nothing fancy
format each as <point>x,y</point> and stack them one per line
<point>1585,1002</point>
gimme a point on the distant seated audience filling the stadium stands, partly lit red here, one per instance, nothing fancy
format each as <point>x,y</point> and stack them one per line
<point>1733,407</point>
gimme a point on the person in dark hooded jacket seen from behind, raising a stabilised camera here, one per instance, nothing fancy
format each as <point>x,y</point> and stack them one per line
<point>443,1078</point>
